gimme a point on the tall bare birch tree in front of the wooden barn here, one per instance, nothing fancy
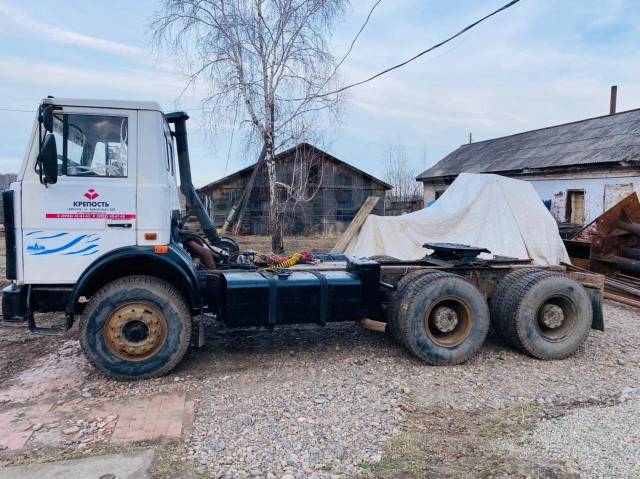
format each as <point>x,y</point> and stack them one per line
<point>268,59</point>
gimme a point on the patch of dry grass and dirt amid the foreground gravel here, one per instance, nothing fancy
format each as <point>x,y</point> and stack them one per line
<point>446,443</point>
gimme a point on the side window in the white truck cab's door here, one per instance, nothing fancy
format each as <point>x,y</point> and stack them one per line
<point>91,145</point>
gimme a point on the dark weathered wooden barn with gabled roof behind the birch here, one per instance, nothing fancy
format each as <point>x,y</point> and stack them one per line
<point>336,190</point>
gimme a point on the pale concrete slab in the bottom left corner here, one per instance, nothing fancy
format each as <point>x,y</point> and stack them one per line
<point>121,466</point>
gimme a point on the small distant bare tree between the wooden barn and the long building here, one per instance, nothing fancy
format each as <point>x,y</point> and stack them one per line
<point>400,173</point>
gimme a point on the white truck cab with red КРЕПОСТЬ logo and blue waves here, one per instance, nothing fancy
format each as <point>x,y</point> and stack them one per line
<point>103,182</point>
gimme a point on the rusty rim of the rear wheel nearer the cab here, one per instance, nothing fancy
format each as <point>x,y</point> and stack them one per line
<point>448,321</point>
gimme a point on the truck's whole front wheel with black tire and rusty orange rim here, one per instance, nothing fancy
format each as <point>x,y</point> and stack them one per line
<point>135,327</point>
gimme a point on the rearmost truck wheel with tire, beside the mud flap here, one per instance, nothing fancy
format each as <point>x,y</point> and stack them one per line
<point>550,315</point>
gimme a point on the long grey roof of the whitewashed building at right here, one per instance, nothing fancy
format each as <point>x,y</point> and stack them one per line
<point>602,141</point>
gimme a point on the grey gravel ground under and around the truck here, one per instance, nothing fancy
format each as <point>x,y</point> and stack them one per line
<point>306,402</point>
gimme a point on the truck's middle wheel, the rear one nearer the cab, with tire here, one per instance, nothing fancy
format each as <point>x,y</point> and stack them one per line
<point>443,318</point>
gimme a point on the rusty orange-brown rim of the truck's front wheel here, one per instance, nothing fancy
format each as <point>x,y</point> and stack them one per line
<point>135,331</point>
